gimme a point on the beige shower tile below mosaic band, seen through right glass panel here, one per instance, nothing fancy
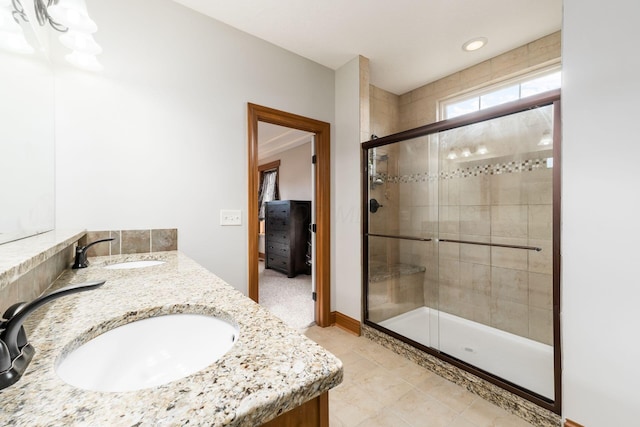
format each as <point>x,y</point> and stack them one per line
<point>509,289</point>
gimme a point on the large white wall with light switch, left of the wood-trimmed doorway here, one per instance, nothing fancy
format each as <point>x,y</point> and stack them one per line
<point>159,138</point>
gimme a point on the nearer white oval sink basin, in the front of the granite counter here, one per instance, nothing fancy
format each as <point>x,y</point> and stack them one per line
<point>148,353</point>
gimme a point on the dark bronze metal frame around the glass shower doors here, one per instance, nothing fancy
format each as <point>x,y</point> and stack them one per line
<point>541,100</point>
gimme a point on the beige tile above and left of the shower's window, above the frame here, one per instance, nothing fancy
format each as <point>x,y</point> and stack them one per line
<point>419,107</point>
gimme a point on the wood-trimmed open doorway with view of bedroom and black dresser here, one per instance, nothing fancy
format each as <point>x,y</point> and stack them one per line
<point>297,181</point>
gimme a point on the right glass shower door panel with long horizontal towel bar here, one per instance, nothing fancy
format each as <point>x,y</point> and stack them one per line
<point>495,247</point>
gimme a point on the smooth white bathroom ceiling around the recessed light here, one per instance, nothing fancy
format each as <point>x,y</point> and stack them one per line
<point>409,42</point>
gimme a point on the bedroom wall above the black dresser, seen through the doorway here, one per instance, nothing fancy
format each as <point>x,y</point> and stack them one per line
<point>294,182</point>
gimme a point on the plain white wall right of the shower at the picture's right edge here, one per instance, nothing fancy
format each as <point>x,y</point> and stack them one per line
<point>601,197</point>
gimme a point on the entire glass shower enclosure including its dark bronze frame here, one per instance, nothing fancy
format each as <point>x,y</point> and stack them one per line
<point>461,243</point>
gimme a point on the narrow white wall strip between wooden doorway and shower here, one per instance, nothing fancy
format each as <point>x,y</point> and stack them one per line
<point>346,257</point>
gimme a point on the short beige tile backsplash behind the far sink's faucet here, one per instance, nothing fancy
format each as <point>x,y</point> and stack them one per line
<point>131,241</point>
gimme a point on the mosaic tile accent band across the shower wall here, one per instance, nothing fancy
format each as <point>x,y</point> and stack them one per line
<point>490,169</point>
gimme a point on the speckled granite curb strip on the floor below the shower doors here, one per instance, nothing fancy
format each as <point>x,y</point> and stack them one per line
<point>518,406</point>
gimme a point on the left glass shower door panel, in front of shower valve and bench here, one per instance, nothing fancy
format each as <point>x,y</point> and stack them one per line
<point>402,253</point>
